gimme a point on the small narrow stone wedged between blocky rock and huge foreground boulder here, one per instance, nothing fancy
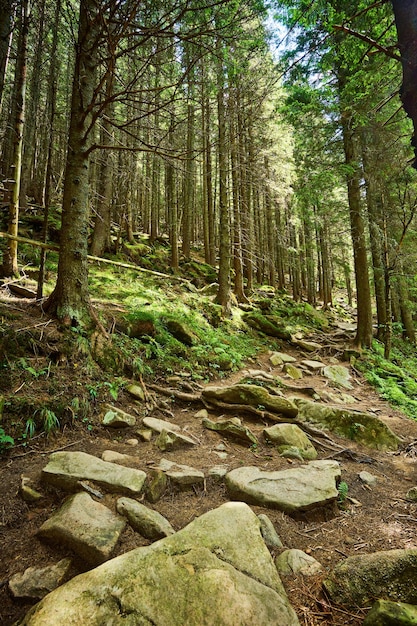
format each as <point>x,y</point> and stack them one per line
<point>148,523</point>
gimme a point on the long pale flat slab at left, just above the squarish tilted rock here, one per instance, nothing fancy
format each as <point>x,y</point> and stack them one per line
<point>66,469</point>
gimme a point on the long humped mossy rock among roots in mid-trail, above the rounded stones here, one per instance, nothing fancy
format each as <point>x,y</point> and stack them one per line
<point>251,395</point>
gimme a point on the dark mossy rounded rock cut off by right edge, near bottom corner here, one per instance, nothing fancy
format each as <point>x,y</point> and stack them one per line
<point>390,575</point>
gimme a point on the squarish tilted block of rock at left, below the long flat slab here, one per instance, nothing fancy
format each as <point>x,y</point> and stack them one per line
<point>87,527</point>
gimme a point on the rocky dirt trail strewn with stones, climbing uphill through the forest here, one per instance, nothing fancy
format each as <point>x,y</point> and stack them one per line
<point>140,477</point>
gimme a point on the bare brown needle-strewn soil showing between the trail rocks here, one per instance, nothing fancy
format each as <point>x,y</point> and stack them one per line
<point>372,519</point>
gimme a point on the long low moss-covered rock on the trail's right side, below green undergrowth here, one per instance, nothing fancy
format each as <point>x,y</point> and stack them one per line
<point>364,428</point>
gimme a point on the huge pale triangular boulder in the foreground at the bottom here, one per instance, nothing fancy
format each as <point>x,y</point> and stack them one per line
<point>215,572</point>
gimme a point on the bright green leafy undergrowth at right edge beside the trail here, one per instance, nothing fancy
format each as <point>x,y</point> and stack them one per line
<point>395,380</point>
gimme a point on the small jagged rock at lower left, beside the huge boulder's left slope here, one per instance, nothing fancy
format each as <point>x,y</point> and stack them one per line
<point>38,582</point>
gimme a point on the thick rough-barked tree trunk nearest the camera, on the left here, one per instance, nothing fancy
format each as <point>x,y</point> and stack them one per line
<point>70,299</point>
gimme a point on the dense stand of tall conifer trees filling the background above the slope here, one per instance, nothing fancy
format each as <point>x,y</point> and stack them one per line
<point>127,123</point>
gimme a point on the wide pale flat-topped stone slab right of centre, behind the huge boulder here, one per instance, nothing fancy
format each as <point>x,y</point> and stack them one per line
<point>297,489</point>
